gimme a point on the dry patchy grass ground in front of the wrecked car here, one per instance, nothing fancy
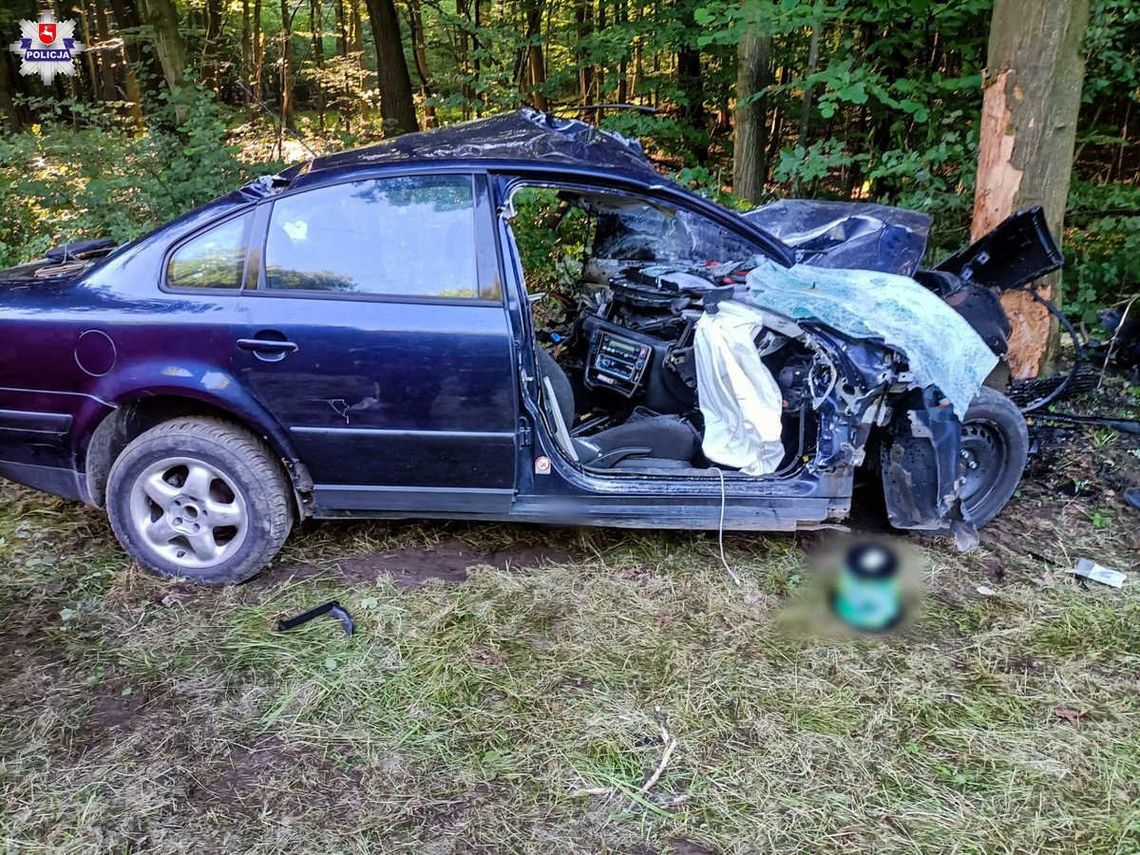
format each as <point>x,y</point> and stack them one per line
<point>532,705</point>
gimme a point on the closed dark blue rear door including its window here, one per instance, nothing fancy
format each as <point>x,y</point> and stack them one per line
<point>374,330</point>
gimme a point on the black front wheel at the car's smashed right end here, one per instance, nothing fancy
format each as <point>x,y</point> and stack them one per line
<point>996,446</point>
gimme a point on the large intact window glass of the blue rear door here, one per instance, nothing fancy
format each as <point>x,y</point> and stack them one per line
<point>406,237</point>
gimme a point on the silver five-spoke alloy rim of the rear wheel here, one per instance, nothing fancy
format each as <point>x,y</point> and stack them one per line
<point>189,512</point>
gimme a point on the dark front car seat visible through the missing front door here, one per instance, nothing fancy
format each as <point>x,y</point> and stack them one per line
<point>642,443</point>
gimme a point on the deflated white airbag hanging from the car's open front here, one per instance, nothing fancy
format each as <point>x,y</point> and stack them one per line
<point>738,395</point>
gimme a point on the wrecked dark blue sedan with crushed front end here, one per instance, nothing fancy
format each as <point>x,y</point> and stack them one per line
<point>361,337</point>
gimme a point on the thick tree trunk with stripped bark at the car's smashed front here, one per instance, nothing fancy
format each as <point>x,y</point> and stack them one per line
<point>1036,71</point>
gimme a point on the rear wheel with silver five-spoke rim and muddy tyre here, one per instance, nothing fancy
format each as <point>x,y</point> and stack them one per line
<point>200,499</point>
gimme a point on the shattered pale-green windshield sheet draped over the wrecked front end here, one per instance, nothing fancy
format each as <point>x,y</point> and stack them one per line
<point>942,349</point>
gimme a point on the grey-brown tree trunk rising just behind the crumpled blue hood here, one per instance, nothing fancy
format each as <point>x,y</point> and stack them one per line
<point>750,158</point>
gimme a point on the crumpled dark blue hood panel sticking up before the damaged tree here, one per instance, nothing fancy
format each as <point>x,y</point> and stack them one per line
<point>848,235</point>
